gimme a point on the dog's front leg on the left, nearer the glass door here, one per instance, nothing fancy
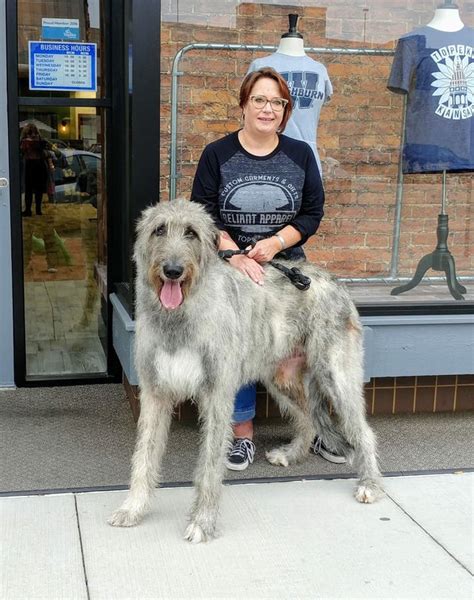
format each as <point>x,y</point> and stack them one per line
<point>153,428</point>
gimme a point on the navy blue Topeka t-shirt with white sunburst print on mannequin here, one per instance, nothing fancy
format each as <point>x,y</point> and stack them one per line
<point>436,69</point>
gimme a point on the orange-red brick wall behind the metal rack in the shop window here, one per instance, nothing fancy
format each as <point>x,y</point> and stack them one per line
<point>359,131</point>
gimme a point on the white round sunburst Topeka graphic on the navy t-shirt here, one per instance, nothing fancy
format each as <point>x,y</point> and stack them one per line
<point>454,81</point>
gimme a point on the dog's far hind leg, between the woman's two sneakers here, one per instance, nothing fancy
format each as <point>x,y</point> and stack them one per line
<point>293,402</point>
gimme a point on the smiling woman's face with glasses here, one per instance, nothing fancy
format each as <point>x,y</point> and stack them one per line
<point>263,120</point>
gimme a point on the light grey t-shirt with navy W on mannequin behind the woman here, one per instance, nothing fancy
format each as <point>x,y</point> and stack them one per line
<point>310,88</point>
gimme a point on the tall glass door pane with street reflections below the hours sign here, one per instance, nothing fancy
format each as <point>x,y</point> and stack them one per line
<point>64,239</point>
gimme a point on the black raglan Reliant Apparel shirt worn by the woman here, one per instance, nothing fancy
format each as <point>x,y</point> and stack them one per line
<point>251,195</point>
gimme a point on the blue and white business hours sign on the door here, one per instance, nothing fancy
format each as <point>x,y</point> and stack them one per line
<point>61,66</point>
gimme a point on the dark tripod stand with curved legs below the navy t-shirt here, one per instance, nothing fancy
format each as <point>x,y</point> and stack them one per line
<point>440,259</point>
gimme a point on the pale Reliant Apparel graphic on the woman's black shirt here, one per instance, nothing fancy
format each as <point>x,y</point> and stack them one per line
<point>256,204</point>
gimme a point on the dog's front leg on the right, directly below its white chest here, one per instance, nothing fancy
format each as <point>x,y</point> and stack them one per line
<point>215,414</point>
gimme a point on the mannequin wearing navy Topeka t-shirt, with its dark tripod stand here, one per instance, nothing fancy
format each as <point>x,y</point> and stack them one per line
<point>434,67</point>
